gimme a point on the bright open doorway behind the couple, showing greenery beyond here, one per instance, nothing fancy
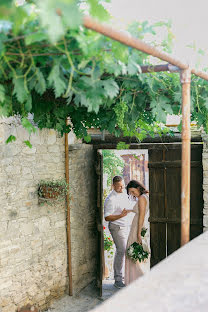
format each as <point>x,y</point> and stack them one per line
<point>131,165</point>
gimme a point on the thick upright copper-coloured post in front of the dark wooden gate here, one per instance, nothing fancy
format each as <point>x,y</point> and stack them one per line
<point>186,157</point>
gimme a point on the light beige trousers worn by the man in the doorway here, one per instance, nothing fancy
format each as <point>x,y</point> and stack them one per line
<point>119,234</point>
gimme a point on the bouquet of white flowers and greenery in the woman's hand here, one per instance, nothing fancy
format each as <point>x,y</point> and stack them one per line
<point>136,251</point>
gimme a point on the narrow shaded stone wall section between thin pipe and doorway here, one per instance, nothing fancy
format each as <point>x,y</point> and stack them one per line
<point>83,215</point>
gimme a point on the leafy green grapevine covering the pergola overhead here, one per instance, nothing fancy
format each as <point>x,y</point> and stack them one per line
<point>52,67</point>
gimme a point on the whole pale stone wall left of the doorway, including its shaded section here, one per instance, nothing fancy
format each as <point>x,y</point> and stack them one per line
<point>33,247</point>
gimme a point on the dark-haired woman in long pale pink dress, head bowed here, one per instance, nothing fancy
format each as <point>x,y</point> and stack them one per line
<point>141,208</point>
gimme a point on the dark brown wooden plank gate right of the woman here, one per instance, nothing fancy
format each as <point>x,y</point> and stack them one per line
<point>165,198</point>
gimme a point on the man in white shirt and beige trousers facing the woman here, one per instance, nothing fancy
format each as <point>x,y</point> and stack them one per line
<point>116,214</point>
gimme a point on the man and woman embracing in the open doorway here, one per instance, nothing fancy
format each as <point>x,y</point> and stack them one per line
<point>117,208</point>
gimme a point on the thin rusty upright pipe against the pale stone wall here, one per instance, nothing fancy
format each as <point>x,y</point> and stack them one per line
<point>68,212</point>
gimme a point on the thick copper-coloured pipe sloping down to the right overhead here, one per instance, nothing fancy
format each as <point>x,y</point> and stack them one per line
<point>128,40</point>
